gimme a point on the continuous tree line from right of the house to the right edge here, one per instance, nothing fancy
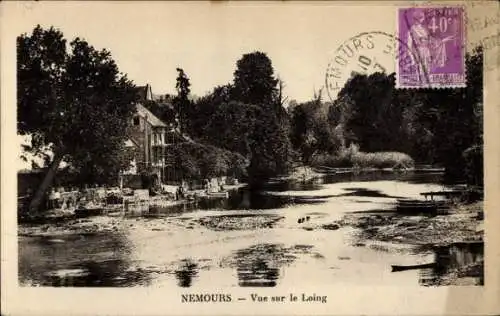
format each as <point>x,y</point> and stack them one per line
<point>433,126</point>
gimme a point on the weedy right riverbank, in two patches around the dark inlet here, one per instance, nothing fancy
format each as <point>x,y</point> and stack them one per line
<point>464,224</point>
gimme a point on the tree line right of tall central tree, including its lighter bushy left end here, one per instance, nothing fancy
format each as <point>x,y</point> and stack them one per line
<point>434,126</point>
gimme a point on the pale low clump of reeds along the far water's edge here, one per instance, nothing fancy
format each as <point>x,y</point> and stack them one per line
<point>351,157</point>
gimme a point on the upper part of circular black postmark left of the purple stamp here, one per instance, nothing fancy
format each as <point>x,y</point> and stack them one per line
<point>365,53</point>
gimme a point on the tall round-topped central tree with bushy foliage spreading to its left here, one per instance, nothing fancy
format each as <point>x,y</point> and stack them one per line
<point>246,117</point>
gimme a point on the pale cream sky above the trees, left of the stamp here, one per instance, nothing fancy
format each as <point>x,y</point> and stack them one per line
<point>150,40</point>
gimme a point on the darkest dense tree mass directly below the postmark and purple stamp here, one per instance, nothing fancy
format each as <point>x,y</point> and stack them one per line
<point>431,125</point>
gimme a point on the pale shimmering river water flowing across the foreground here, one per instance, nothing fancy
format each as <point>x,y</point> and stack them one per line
<point>252,239</point>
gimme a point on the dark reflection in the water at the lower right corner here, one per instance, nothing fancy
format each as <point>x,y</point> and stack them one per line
<point>466,259</point>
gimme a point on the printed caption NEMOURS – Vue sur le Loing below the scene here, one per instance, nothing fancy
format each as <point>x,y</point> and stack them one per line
<point>253,297</point>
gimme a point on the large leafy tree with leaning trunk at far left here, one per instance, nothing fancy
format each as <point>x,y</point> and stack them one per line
<point>76,103</point>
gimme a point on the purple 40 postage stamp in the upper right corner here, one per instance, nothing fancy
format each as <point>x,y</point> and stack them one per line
<point>436,38</point>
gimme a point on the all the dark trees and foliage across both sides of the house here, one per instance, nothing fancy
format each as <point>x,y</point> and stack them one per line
<point>76,103</point>
